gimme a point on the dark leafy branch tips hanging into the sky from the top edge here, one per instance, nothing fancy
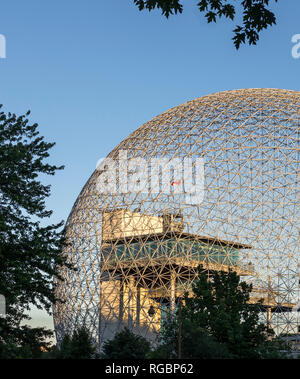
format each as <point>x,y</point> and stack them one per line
<point>257,15</point>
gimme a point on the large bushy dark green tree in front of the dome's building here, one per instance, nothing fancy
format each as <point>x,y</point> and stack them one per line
<point>217,322</point>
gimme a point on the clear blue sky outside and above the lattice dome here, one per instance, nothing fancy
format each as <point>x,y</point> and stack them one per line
<point>93,71</point>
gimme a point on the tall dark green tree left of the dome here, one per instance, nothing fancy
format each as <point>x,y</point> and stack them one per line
<point>30,254</point>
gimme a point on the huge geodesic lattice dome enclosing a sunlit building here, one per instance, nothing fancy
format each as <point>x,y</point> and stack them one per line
<point>137,243</point>
